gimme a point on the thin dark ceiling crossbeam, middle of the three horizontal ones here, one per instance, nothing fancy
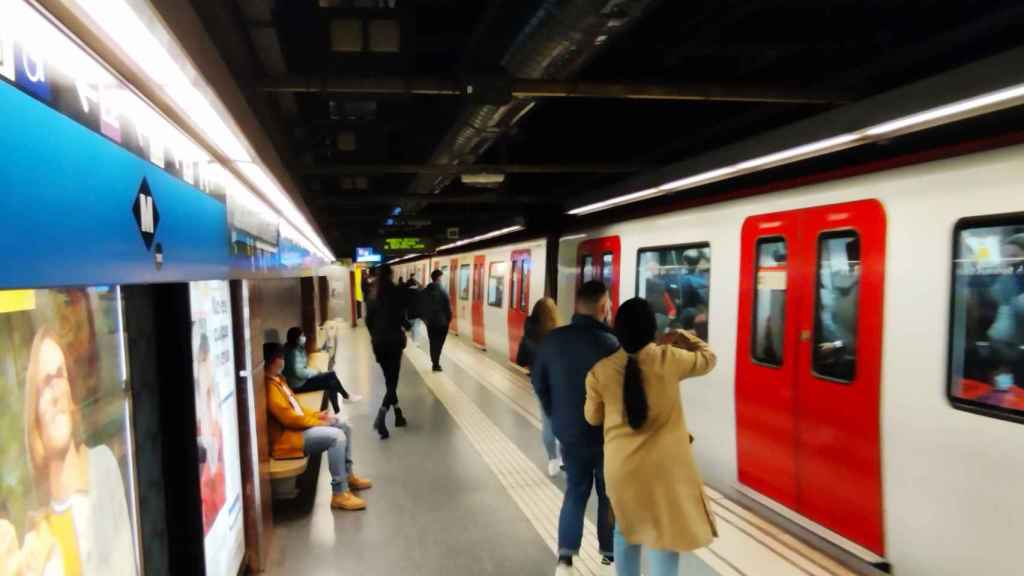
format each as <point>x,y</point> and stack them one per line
<point>455,171</point>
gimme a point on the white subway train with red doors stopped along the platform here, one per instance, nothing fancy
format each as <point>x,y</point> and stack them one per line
<point>870,333</point>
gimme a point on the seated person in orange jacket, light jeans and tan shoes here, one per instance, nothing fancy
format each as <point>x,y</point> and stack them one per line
<point>296,433</point>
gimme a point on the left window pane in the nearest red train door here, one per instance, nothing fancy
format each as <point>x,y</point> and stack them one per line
<point>770,301</point>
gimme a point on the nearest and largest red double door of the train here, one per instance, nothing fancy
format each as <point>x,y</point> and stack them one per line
<point>813,408</point>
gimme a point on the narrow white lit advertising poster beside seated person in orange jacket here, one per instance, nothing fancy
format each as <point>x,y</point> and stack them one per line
<point>218,427</point>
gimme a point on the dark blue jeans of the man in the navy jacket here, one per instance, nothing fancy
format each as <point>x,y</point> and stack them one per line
<point>584,469</point>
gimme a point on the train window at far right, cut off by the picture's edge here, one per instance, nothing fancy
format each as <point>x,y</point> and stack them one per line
<point>987,357</point>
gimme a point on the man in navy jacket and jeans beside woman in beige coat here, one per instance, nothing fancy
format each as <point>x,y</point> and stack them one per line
<point>560,375</point>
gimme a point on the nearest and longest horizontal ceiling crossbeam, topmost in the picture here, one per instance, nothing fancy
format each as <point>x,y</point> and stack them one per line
<point>535,90</point>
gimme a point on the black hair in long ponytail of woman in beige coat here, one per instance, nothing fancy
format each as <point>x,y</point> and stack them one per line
<point>636,327</point>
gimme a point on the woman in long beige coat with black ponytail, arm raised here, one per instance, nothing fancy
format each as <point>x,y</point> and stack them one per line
<point>654,484</point>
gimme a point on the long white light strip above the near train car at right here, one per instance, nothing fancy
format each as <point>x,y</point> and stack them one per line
<point>992,102</point>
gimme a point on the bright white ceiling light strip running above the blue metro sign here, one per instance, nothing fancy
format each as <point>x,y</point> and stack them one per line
<point>123,26</point>
